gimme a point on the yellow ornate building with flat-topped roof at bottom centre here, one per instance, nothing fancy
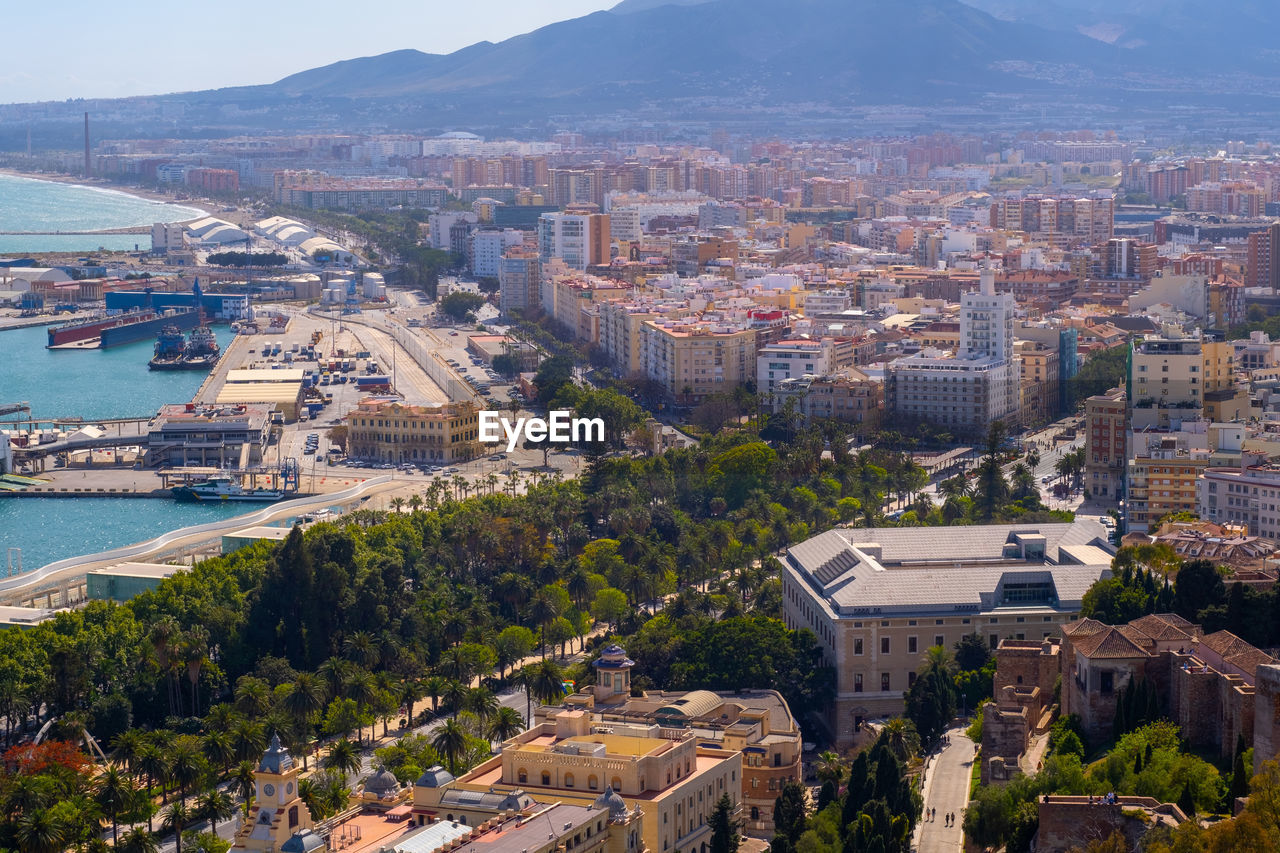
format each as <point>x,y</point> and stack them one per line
<point>673,783</point>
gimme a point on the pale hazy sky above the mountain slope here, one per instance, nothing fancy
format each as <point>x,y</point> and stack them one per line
<point>61,49</point>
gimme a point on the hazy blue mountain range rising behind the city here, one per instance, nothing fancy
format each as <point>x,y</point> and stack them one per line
<point>751,60</point>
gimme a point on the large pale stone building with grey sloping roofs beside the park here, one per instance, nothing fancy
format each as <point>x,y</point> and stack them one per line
<point>879,599</point>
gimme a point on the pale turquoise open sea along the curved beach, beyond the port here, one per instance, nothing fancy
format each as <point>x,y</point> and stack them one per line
<point>30,206</point>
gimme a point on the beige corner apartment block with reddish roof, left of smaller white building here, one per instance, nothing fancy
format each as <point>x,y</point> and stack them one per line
<point>696,358</point>
